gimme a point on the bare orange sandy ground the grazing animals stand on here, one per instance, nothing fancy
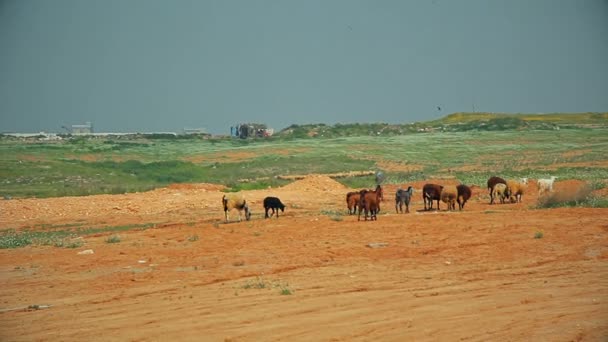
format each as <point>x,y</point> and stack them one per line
<point>475,275</point>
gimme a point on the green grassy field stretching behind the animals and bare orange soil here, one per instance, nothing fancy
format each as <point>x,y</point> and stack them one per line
<point>93,166</point>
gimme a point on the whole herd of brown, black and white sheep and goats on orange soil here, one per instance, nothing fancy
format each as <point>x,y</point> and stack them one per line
<point>368,201</point>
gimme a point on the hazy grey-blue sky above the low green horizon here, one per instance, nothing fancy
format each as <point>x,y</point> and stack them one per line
<point>151,65</point>
